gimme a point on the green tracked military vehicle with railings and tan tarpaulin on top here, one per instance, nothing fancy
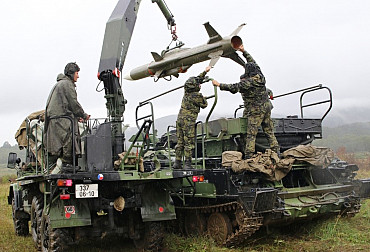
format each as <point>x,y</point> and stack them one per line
<point>234,198</point>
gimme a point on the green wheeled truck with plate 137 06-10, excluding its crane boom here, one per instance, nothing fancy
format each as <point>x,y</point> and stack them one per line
<point>96,197</point>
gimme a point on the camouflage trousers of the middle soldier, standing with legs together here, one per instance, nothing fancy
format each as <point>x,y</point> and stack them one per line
<point>185,131</point>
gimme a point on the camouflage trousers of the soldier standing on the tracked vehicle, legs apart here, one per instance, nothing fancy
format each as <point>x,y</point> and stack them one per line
<point>259,117</point>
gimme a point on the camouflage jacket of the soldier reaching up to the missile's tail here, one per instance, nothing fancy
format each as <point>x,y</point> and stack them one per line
<point>252,89</point>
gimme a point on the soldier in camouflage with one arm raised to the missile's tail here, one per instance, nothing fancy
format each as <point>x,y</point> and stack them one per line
<point>257,107</point>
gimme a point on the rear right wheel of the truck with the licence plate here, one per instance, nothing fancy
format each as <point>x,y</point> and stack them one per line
<point>151,237</point>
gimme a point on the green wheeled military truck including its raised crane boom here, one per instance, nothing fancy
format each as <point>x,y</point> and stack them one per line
<point>108,188</point>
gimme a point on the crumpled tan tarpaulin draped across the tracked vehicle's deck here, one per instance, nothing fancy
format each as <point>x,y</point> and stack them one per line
<point>272,166</point>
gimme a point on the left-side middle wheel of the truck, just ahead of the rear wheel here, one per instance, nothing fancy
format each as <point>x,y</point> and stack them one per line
<point>36,214</point>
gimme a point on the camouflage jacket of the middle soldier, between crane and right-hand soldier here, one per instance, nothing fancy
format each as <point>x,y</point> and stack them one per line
<point>192,102</point>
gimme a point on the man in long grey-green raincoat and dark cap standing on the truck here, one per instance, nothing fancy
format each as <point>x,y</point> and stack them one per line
<point>62,101</point>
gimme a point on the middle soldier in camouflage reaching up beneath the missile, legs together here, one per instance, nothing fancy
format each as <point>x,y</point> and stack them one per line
<point>192,101</point>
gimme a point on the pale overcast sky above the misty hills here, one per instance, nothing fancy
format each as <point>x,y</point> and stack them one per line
<point>296,43</point>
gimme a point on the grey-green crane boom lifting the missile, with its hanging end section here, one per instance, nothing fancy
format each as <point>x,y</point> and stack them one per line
<point>117,37</point>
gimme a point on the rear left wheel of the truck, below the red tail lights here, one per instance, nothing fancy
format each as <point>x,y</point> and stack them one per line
<point>53,239</point>
